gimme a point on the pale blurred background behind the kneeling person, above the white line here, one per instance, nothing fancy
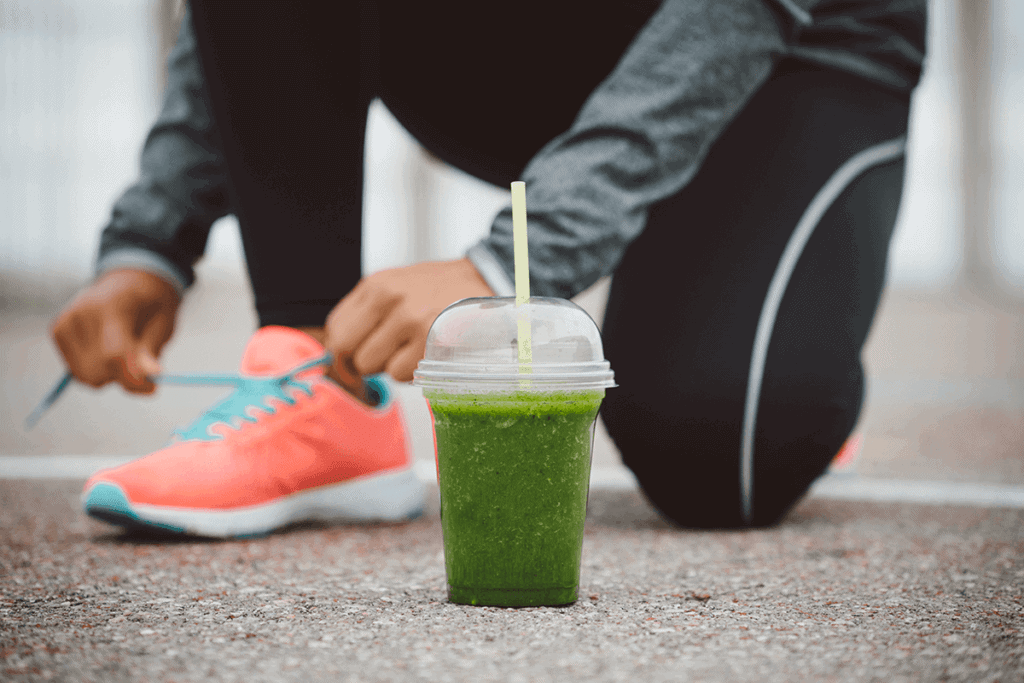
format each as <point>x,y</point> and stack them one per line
<point>82,82</point>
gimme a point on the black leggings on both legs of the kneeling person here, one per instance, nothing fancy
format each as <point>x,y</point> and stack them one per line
<point>741,311</point>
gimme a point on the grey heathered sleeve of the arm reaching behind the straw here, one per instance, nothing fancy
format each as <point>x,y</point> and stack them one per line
<point>638,140</point>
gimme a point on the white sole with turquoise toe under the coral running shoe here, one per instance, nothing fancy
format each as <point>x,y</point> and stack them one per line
<point>396,496</point>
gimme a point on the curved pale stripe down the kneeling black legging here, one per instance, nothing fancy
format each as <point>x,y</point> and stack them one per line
<point>840,181</point>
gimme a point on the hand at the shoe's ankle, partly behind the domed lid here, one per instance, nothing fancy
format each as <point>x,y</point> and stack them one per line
<point>382,325</point>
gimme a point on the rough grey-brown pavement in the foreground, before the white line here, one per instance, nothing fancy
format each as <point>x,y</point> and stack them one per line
<point>840,592</point>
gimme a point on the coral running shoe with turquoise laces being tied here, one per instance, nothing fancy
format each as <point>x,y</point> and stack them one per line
<point>282,449</point>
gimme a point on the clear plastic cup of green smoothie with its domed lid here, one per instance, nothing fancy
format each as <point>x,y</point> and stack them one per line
<point>515,443</point>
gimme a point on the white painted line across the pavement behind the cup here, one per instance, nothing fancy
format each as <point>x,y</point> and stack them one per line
<point>835,487</point>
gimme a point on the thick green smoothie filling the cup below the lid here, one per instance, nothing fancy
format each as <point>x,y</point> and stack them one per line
<point>515,472</point>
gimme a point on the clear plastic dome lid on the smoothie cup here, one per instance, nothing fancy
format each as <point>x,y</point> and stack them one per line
<point>474,346</point>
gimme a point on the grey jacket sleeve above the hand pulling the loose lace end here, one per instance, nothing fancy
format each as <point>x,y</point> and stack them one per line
<point>161,224</point>
